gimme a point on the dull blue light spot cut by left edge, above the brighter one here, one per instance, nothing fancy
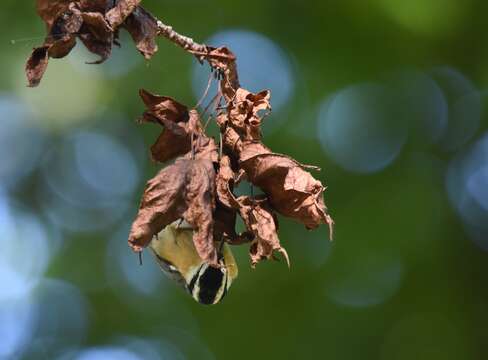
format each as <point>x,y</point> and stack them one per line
<point>21,143</point>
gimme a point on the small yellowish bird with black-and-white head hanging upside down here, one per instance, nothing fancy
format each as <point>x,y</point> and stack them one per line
<point>178,258</point>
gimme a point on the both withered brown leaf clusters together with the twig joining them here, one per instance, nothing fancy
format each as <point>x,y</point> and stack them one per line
<point>198,184</point>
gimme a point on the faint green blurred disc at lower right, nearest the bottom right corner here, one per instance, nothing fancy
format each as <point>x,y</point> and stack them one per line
<point>367,280</point>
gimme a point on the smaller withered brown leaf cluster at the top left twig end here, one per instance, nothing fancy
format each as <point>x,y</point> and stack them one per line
<point>96,23</point>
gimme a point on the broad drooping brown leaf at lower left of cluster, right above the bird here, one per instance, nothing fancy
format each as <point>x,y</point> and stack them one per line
<point>185,190</point>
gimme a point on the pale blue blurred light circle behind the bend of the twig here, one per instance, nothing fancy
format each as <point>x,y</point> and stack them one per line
<point>262,65</point>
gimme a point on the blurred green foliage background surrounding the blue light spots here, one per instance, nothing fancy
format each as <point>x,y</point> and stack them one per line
<point>439,307</point>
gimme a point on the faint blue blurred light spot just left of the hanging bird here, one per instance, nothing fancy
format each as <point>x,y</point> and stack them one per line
<point>123,268</point>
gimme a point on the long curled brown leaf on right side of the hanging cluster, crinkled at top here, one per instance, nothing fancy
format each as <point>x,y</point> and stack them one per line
<point>291,190</point>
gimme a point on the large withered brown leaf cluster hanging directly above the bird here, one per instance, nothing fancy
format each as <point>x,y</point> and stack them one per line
<point>199,185</point>
